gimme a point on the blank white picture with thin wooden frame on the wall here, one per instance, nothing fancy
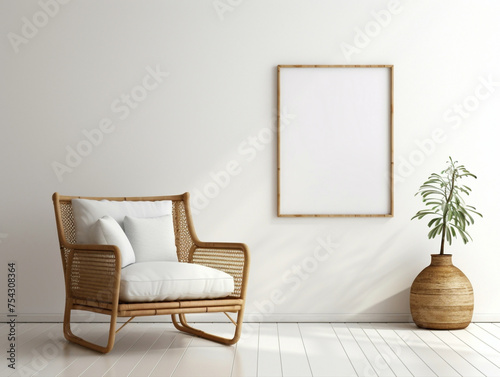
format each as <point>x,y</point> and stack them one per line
<point>335,141</point>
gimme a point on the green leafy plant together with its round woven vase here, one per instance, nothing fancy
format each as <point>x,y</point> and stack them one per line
<point>441,296</point>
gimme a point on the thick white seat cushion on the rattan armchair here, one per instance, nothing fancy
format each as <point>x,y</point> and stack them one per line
<point>170,281</point>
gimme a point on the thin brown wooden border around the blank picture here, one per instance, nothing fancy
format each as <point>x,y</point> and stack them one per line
<point>391,141</point>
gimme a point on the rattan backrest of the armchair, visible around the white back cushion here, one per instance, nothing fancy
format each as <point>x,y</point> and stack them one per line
<point>184,230</point>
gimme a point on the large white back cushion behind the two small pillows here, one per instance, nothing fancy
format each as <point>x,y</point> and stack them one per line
<point>87,211</point>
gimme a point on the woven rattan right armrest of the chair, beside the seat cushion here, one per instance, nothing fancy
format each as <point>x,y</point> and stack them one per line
<point>232,258</point>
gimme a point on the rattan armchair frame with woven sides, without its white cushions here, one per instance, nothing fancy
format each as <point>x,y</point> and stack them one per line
<point>92,274</point>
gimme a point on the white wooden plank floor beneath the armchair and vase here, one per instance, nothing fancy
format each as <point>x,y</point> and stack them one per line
<point>266,349</point>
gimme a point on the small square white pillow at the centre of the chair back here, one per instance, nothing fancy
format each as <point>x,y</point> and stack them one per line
<point>153,238</point>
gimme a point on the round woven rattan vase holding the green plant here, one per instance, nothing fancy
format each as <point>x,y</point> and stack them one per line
<point>441,296</point>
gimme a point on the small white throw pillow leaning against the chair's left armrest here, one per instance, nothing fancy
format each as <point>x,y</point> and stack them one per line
<point>106,231</point>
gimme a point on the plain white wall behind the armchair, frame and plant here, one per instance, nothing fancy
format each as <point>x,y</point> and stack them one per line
<point>218,105</point>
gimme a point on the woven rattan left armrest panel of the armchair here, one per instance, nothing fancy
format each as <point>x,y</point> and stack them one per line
<point>93,273</point>
